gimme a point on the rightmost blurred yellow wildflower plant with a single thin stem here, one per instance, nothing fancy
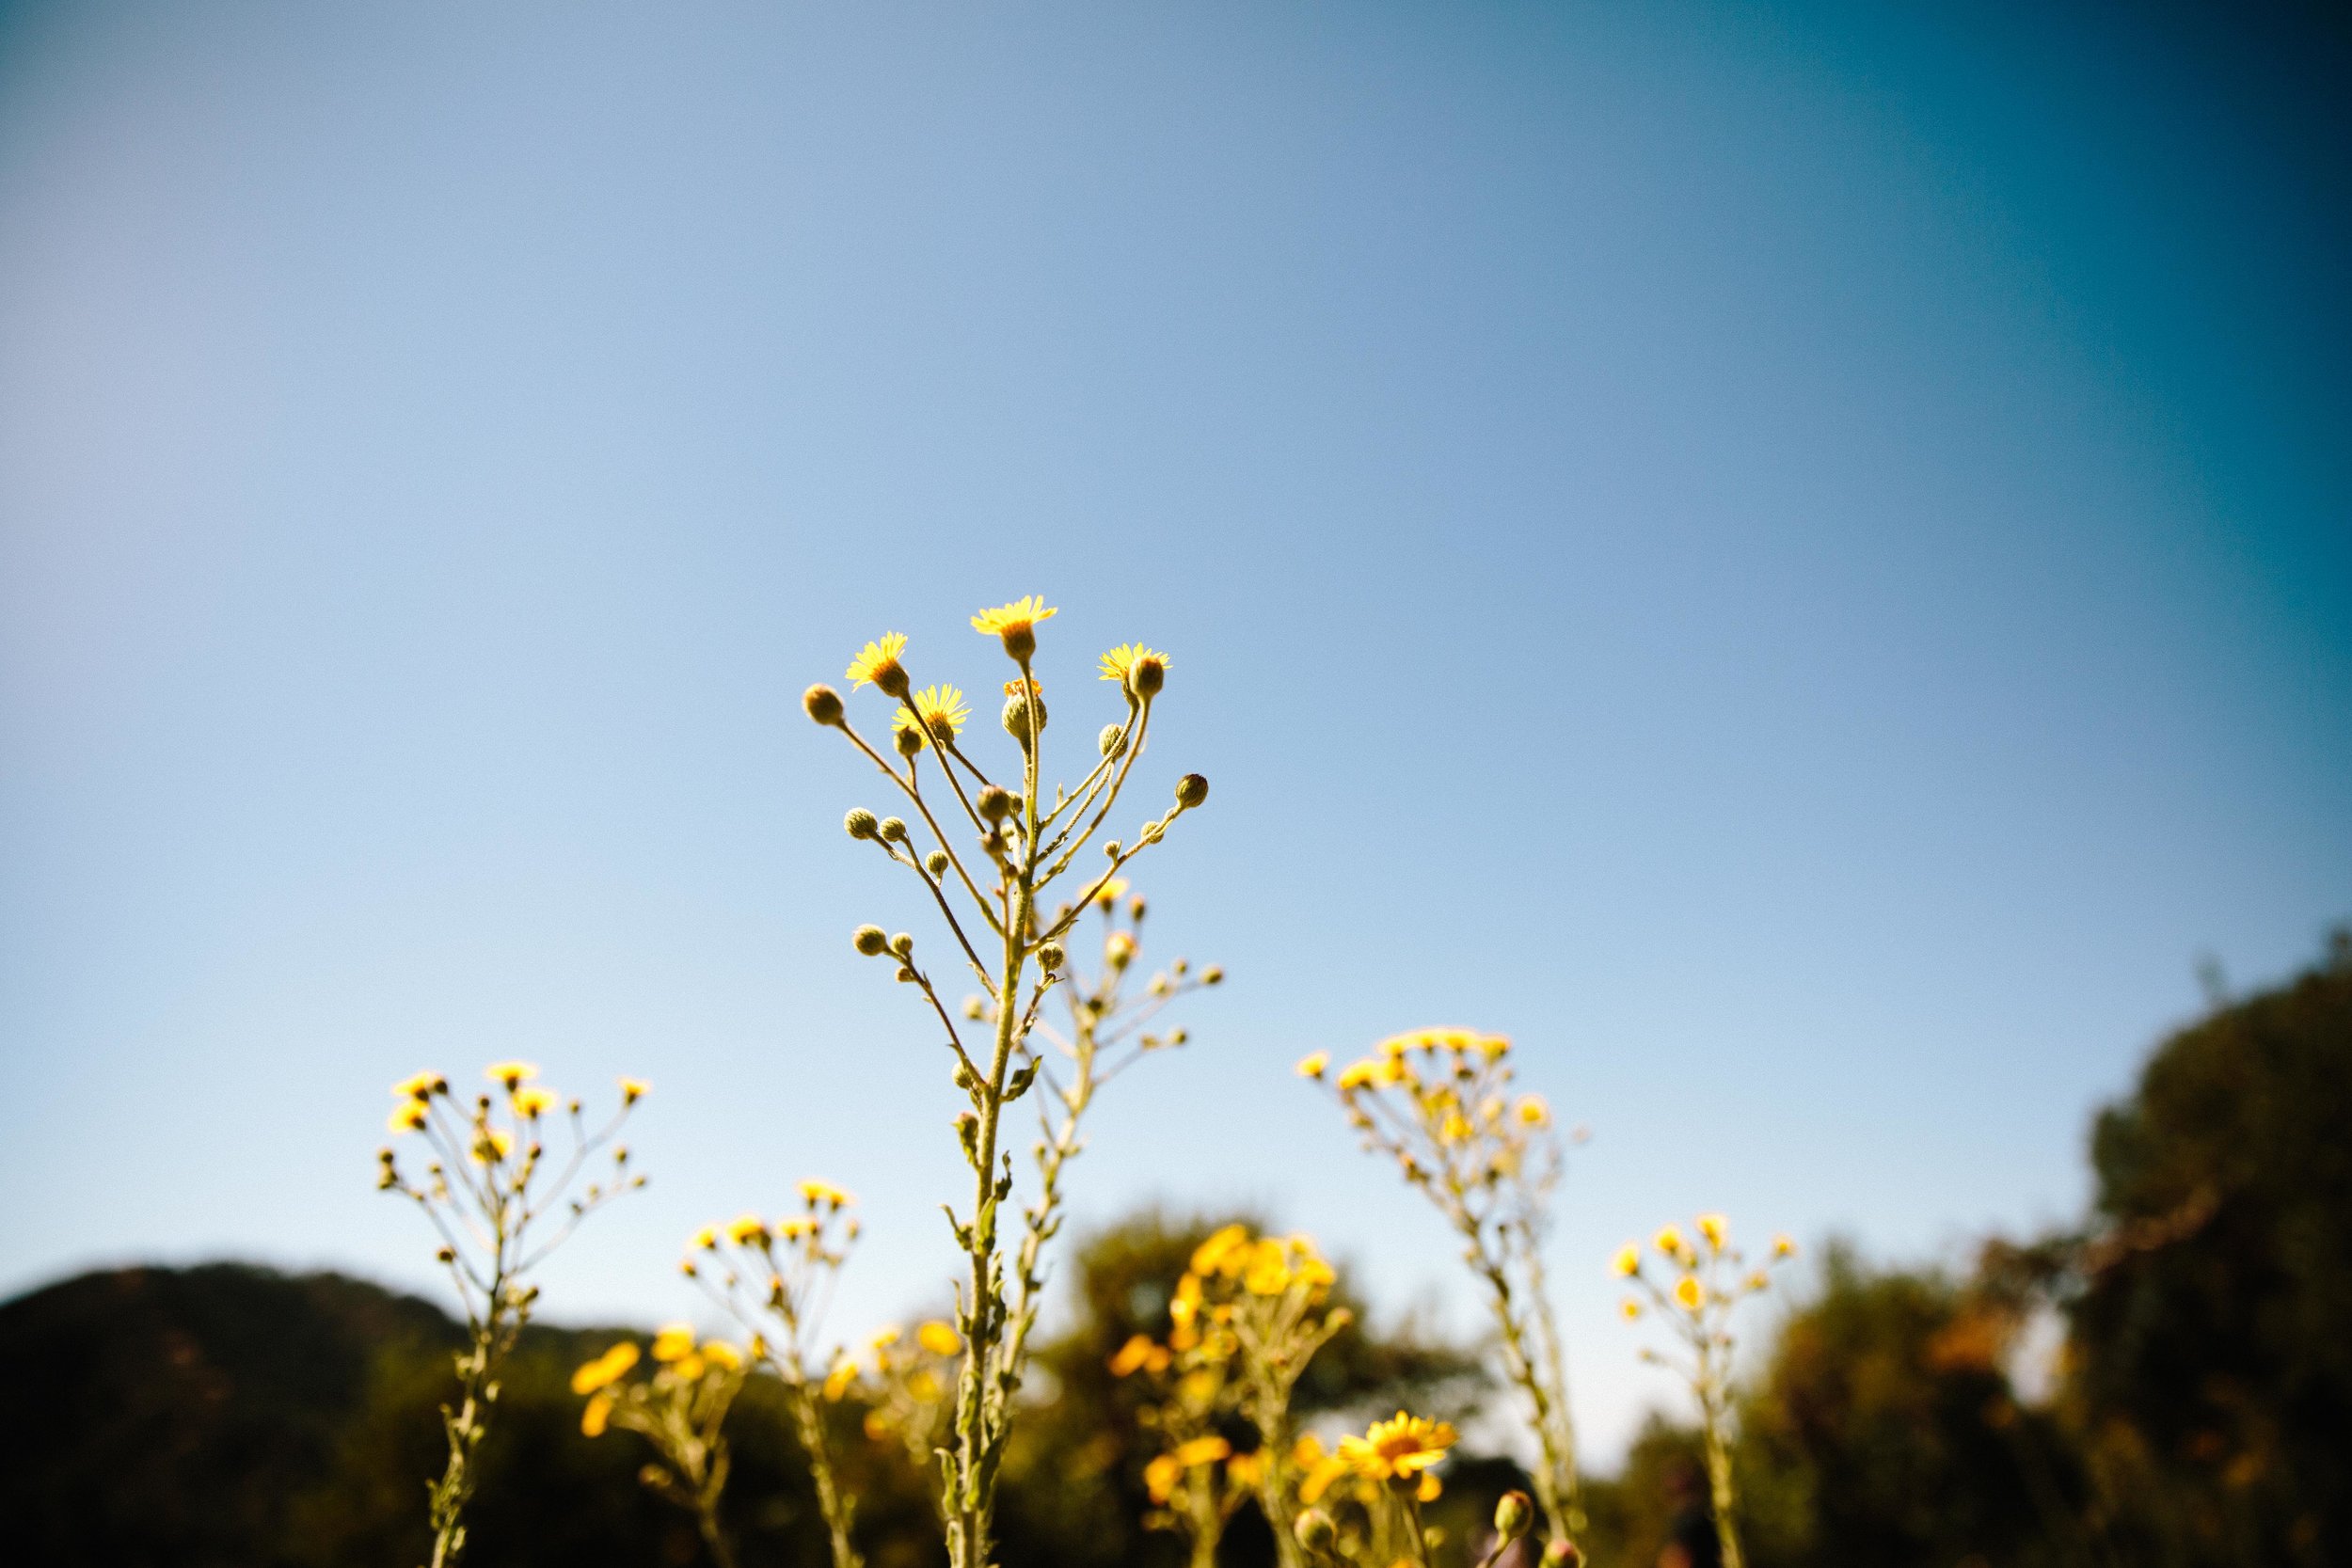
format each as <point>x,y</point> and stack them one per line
<point>1697,1289</point>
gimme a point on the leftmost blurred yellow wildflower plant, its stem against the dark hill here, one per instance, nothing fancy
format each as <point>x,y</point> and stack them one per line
<point>500,1205</point>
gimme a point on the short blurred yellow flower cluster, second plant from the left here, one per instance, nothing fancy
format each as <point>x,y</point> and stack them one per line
<point>681,1409</point>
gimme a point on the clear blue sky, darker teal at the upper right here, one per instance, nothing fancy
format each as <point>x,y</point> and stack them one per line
<point>1791,558</point>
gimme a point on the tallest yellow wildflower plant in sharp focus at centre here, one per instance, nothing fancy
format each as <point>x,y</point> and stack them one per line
<point>987,857</point>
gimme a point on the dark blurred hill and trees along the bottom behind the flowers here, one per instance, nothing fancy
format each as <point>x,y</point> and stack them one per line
<point>2167,1383</point>
